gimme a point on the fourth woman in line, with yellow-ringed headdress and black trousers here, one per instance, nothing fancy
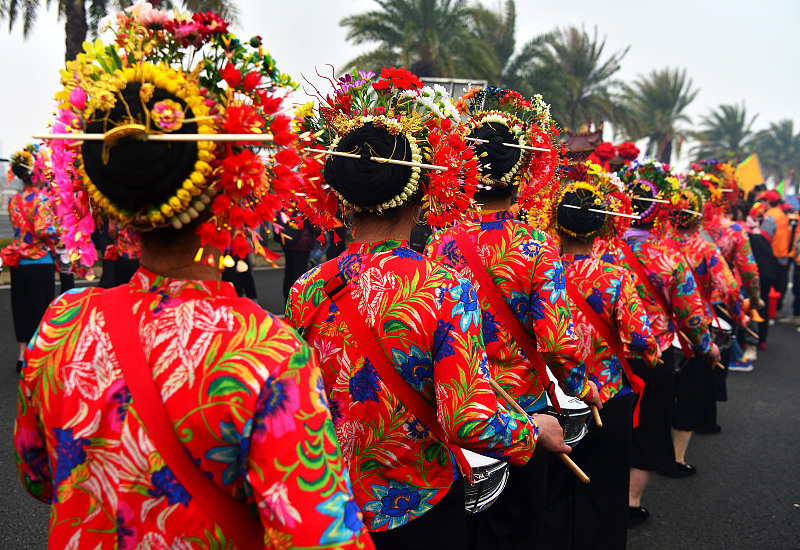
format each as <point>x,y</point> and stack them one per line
<point>605,305</point>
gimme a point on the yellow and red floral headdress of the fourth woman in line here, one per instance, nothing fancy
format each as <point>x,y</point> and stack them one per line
<point>600,191</point>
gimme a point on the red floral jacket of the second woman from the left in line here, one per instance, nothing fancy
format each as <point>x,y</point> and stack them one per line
<point>428,322</point>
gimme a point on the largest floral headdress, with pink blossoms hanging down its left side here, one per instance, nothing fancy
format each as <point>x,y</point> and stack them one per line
<point>230,87</point>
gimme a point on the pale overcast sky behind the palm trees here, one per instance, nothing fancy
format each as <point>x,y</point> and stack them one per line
<point>733,50</point>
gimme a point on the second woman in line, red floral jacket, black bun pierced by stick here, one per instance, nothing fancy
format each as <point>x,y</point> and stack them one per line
<point>425,317</point>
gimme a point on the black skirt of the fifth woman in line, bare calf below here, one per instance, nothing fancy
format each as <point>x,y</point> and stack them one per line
<point>651,444</point>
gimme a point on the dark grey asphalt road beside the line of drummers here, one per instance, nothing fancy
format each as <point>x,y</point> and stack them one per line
<point>746,494</point>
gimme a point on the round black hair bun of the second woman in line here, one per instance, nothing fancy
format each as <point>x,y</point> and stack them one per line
<point>366,183</point>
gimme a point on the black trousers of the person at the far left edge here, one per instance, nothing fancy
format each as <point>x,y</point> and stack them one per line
<point>33,287</point>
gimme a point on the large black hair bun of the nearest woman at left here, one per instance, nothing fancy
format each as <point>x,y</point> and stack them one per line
<point>139,173</point>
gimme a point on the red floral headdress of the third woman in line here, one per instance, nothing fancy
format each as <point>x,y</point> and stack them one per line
<point>532,129</point>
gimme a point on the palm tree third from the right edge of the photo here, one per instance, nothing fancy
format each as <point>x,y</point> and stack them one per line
<point>654,108</point>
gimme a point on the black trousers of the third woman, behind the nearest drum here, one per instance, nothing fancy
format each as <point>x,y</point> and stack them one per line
<point>516,519</point>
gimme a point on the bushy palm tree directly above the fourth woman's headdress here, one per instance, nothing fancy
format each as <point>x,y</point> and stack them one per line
<point>568,68</point>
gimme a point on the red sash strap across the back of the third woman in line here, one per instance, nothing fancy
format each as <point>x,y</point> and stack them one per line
<point>503,311</point>
